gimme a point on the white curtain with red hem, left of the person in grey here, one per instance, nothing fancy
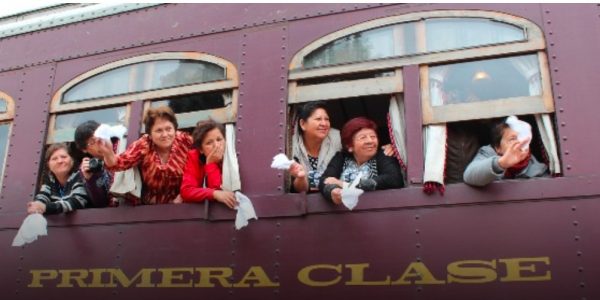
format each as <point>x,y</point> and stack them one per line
<point>435,135</point>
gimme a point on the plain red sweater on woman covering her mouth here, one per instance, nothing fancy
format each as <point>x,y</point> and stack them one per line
<point>193,177</point>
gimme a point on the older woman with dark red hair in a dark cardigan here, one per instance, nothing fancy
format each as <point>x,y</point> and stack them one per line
<point>361,155</point>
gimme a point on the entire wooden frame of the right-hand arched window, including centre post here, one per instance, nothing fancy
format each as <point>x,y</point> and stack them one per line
<point>418,64</point>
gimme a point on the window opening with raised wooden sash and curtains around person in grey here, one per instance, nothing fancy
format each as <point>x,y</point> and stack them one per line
<point>459,101</point>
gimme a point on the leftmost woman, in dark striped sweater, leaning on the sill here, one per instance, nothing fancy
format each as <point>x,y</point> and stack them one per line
<point>62,189</point>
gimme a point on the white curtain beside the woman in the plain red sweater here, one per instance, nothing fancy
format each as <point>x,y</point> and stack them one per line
<point>231,169</point>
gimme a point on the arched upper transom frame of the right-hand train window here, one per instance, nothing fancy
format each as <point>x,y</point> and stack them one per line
<point>534,42</point>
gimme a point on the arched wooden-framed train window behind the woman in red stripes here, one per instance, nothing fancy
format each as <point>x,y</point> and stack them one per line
<point>196,86</point>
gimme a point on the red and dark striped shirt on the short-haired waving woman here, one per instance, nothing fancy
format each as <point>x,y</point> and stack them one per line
<point>161,182</point>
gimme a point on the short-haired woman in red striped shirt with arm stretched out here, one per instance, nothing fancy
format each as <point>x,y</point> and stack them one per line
<point>160,154</point>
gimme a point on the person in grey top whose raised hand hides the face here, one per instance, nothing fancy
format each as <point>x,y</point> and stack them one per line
<point>505,158</point>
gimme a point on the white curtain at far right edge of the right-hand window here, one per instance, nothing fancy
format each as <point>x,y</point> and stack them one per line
<point>529,68</point>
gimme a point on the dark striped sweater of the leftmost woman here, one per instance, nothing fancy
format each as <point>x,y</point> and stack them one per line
<point>59,199</point>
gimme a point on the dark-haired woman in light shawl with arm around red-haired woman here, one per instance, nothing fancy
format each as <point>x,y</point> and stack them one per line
<point>314,144</point>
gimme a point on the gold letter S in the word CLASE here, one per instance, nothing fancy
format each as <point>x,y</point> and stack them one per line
<point>472,271</point>
